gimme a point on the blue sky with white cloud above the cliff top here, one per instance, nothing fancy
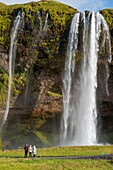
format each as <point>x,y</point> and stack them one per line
<point>81,5</point>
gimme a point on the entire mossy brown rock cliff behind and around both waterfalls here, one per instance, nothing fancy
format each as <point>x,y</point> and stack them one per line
<point>36,101</point>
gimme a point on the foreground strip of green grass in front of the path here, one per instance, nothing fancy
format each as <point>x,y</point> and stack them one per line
<point>39,164</point>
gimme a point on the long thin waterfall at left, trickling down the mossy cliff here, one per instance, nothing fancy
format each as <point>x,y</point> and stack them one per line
<point>12,56</point>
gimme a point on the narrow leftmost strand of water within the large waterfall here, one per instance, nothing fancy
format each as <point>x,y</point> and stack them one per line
<point>69,70</point>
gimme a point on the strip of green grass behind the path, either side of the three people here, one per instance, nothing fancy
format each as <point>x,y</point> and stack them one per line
<point>63,151</point>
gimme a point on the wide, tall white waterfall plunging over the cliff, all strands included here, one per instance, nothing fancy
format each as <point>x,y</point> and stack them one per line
<point>89,40</point>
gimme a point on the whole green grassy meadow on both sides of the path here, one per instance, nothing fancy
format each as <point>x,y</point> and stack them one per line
<point>14,159</point>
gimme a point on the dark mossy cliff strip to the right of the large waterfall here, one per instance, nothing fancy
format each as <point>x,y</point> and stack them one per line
<point>105,103</point>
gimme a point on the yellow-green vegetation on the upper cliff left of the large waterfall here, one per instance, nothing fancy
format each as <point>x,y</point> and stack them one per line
<point>33,48</point>
